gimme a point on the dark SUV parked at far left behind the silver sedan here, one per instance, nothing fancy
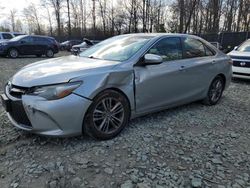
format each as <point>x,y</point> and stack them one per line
<point>29,45</point>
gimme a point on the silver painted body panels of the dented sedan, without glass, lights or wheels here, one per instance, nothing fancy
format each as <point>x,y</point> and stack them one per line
<point>148,88</point>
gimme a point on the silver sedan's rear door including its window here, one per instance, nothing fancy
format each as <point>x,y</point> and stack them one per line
<point>200,60</point>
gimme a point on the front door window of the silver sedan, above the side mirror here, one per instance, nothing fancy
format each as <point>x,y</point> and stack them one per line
<point>168,48</point>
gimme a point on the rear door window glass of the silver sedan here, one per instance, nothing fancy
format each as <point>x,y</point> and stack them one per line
<point>193,48</point>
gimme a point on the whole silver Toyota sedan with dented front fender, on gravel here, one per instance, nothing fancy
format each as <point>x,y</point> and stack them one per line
<point>123,77</point>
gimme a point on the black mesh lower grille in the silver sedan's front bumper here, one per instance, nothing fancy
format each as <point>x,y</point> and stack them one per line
<point>18,113</point>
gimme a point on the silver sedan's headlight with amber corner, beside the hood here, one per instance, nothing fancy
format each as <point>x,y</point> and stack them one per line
<point>54,92</point>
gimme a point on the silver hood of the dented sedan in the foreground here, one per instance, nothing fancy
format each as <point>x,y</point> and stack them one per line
<point>59,70</point>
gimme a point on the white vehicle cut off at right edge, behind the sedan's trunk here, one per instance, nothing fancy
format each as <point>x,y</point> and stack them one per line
<point>241,60</point>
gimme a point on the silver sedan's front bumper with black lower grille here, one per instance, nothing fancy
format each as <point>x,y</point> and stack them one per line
<point>62,117</point>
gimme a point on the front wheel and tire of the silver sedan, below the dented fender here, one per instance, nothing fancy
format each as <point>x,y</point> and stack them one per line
<point>109,126</point>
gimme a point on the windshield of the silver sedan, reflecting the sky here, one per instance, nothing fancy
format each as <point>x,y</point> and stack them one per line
<point>119,48</point>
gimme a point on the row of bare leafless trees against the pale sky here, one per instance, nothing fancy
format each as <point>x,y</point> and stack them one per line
<point>103,18</point>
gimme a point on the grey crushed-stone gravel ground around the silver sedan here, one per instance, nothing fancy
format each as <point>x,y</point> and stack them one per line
<point>189,146</point>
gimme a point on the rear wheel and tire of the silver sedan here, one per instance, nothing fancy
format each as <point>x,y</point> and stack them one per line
<point>215,91</point>
